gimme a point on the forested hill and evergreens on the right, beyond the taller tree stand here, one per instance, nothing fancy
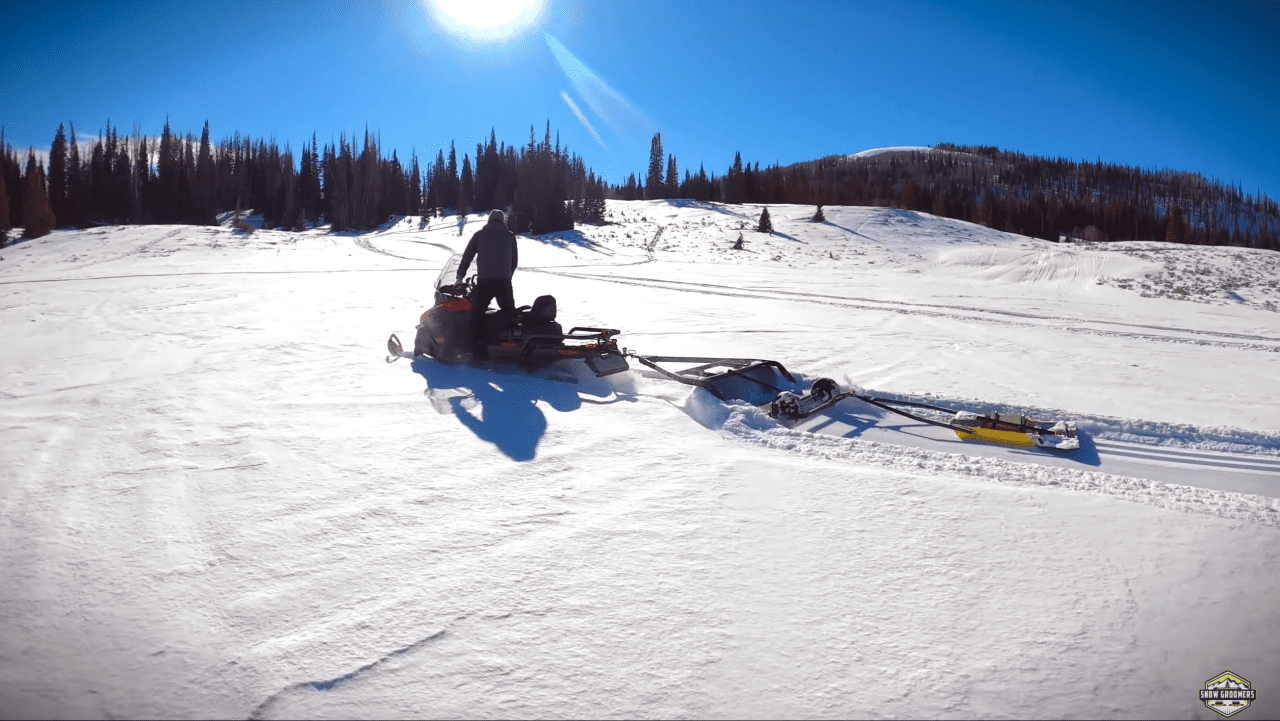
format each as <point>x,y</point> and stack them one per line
<point>1011,191</point>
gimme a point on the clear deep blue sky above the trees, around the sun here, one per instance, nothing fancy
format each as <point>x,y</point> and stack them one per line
<point>1190,86</point>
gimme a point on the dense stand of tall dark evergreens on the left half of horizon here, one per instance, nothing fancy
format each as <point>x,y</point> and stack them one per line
<point>350,184</point>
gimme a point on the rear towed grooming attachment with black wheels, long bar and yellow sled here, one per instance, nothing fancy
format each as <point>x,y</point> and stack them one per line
<point>993,427</point>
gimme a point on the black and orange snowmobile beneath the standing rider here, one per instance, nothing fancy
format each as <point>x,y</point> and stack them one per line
<point>529,337</point>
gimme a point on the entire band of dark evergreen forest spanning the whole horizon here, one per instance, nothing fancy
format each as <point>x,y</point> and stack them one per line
<point>351,185</point>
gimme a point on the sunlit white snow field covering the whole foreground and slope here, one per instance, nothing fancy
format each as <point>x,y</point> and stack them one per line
<point>220,500</point>
